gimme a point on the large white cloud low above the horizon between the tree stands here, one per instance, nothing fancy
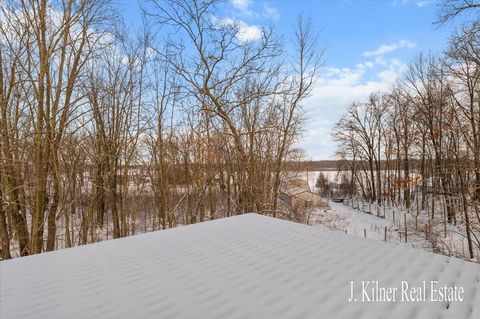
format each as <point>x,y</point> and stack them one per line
<point>335,89</point>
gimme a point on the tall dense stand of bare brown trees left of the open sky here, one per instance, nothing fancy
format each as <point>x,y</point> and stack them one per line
<point>107,132</point>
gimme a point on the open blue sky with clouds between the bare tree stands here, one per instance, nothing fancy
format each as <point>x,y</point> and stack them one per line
<point>367,46</point>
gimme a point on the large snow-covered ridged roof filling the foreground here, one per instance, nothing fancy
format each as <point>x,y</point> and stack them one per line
<point>247,266</point>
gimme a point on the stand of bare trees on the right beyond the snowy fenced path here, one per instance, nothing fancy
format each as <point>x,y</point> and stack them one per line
<point>418,145</point>
